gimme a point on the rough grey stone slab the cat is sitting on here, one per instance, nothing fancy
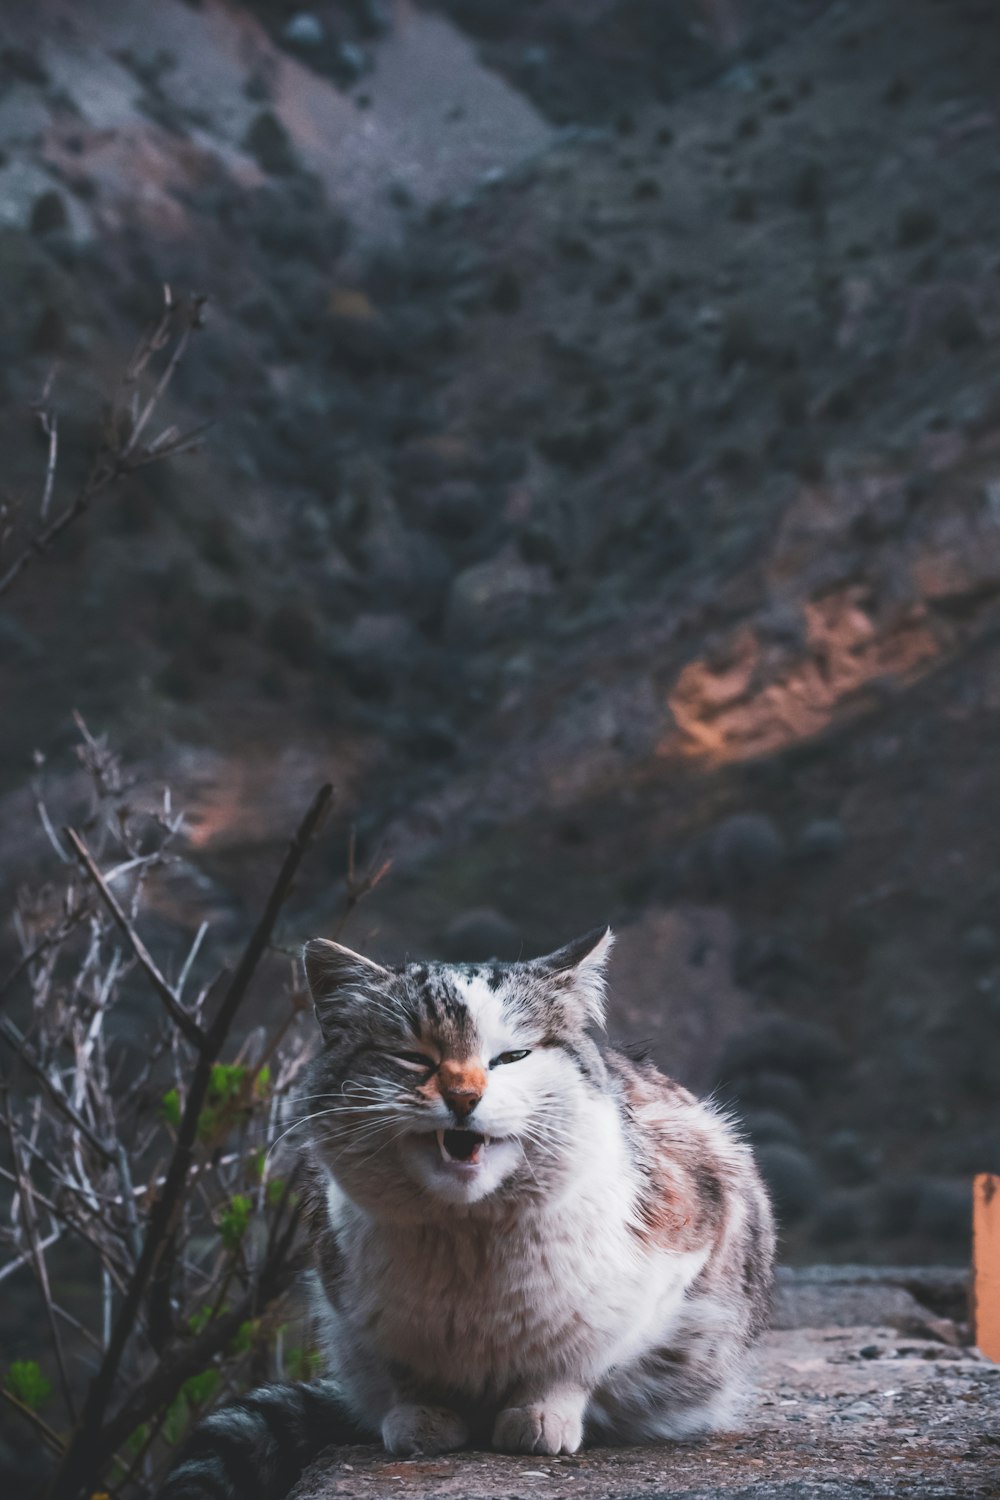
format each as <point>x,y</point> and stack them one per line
<point>903,1418</point>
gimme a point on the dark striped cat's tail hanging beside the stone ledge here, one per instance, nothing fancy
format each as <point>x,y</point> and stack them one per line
<point>257,1448</point>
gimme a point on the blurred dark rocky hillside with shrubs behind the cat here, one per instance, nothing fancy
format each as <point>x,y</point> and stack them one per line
<point>605,485</point>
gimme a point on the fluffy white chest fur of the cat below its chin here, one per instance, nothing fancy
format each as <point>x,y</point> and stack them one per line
<point>557,1289</point>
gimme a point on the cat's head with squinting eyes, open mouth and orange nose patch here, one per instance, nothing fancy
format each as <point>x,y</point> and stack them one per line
<point>454,1084</point>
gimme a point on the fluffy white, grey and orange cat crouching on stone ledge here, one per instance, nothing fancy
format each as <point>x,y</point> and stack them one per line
<point>524,1240</point>
